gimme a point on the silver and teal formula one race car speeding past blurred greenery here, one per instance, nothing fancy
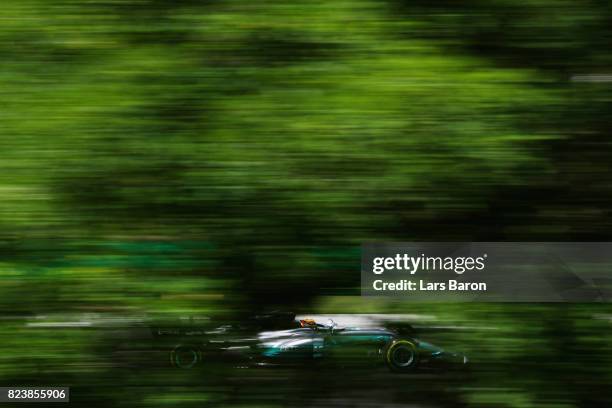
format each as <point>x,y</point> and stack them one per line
<point>265,342</point>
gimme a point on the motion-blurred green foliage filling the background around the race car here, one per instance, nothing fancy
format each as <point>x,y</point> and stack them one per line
<point>223,157</point>
